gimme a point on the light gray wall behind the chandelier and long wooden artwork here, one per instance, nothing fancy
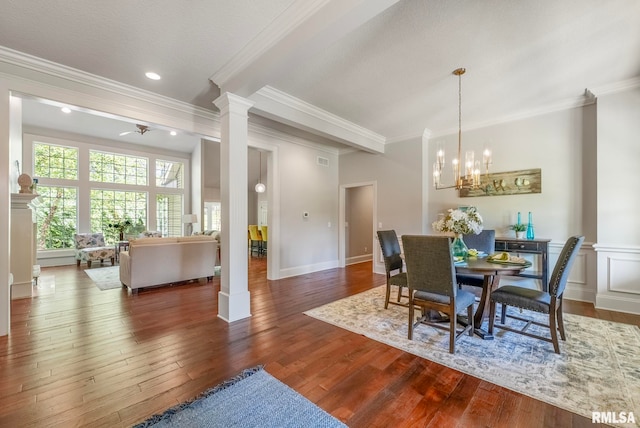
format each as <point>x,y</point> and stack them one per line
<point>562,144</point>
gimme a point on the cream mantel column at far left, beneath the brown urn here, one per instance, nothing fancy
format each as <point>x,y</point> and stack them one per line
<point>22,245</point>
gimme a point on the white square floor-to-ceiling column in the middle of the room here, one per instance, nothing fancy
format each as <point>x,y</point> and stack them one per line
<point>234,298</point>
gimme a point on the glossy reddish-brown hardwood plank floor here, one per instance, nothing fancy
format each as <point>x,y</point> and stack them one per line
<point>78,356</point>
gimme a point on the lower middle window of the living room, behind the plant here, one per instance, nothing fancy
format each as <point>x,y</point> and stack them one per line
<point>114,206</point>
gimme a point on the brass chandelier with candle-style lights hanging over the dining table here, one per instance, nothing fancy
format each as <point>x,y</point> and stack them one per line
<point>469,177</point>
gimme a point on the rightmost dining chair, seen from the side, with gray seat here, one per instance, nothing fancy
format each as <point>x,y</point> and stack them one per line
<point>538,301</point>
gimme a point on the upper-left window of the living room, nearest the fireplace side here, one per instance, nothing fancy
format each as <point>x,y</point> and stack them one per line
<point>52,161</point>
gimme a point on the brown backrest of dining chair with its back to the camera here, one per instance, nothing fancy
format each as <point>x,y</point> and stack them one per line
<point>430,264</point>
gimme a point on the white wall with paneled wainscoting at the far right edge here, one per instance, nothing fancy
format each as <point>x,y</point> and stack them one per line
<point>618,204</point>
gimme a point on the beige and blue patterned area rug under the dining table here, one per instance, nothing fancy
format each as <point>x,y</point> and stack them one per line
<point>598,369</point>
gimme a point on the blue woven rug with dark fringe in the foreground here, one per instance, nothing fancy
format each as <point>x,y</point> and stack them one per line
<point>253,398</point>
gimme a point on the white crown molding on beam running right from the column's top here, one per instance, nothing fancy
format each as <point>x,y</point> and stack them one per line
<point>276,103</point>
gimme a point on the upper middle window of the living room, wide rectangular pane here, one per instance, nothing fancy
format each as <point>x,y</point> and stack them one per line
<point>116,168</point>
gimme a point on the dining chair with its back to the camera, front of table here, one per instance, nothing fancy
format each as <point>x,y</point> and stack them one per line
<point>432,285</point>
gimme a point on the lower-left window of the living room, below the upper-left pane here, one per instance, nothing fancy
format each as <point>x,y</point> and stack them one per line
<point>56,217</point>
